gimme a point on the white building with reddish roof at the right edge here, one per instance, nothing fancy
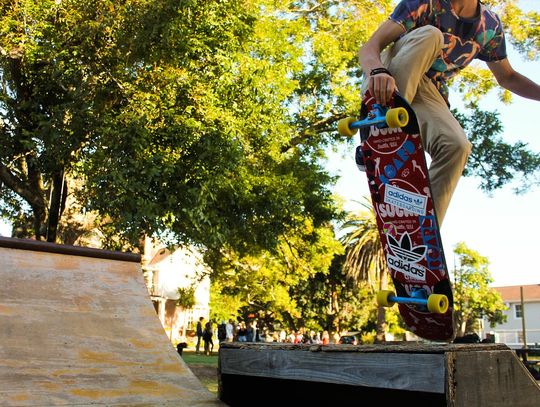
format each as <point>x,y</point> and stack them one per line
<point>511,332</point>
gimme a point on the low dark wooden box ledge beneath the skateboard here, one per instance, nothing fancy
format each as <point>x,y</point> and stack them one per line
<point>392,374</point>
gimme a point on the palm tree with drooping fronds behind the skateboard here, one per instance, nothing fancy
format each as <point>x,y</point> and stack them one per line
<point>365,259</point>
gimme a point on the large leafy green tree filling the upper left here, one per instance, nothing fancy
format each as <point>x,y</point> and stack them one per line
<point>167,112</point>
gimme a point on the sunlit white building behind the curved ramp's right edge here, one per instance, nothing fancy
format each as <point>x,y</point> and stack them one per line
<point>165,272</point>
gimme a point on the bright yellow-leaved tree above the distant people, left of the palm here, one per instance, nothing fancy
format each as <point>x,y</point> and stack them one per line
<point>271,285</point>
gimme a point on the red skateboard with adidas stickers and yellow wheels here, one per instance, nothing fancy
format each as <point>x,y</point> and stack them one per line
<point>391,150</point>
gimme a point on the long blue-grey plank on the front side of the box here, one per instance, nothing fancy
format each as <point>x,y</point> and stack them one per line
<point>401,371</point>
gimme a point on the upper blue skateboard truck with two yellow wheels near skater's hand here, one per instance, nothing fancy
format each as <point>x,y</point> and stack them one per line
<point>379,116</point>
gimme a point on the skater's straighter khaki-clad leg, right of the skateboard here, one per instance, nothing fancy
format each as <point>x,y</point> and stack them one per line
<point>444,140</point>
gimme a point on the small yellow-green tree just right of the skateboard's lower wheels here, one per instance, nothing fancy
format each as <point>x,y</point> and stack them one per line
<point>473,298</point>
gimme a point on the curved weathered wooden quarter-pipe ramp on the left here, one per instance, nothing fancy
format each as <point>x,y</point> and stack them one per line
<point>77,328</point>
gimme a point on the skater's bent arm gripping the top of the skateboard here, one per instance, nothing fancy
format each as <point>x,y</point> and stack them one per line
<point>382,85</point>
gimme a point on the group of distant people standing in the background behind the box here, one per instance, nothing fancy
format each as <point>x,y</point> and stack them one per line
<point>250,331</point>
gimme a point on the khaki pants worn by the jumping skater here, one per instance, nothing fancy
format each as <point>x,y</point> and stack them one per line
<point>443,138</point>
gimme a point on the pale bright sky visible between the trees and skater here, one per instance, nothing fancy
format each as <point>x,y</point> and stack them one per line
<point>503,227</point>
